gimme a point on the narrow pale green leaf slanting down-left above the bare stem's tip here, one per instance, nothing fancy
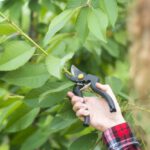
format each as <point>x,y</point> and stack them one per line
<point>58,23</point>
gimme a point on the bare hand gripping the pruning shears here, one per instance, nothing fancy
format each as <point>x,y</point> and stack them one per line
<point>97,108</point>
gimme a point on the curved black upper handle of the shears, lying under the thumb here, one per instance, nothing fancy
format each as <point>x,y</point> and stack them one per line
<point>106,96</point>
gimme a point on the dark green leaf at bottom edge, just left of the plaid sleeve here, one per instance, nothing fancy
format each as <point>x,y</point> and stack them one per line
<point>85,142</point>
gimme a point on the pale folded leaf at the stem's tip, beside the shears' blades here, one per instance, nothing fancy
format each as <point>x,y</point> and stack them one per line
<point>55,64</point>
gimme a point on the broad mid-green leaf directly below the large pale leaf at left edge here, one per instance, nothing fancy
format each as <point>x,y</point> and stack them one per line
<point>30,75</point>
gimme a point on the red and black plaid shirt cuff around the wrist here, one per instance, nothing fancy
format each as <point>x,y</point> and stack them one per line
<point>120,137</point>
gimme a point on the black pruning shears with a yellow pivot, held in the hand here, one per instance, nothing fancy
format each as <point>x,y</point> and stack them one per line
<point>82,81</point>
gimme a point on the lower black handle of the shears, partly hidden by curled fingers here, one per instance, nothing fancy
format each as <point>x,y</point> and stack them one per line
<point>76,91</point>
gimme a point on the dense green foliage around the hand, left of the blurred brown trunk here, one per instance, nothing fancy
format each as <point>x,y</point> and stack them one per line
<point>38,40</point>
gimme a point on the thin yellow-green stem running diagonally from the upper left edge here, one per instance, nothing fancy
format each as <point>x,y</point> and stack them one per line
<point>22,33</point>
